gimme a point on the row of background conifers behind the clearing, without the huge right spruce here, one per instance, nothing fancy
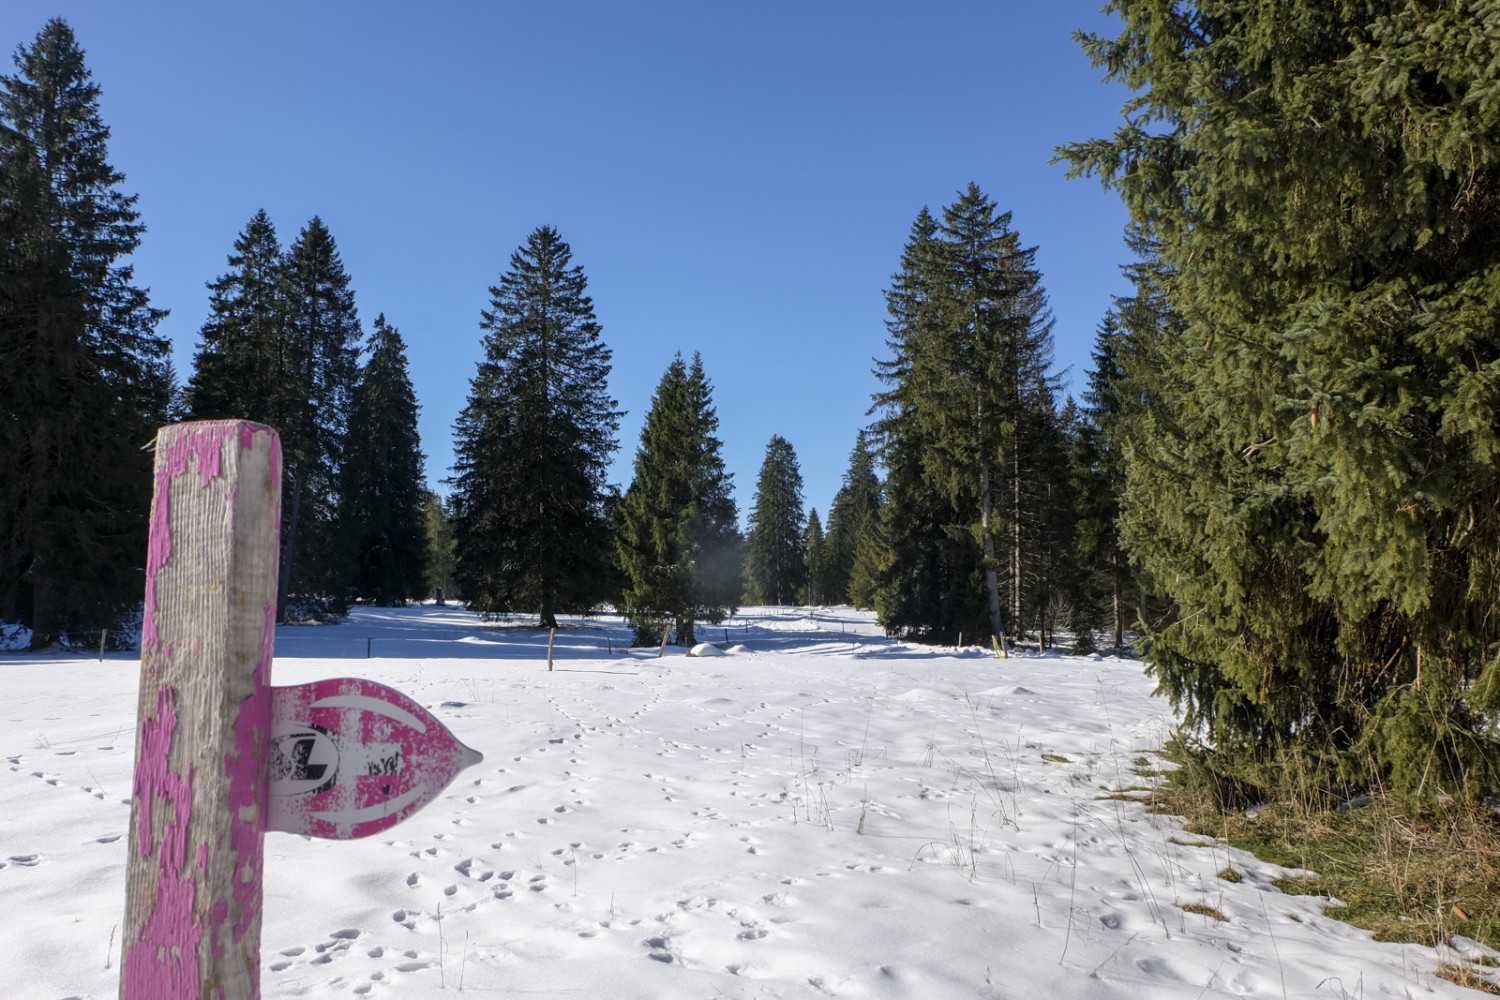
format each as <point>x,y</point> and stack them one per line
<point>968,533</point>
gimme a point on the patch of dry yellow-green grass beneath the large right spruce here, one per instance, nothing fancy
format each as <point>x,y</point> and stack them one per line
<point>1403,875</point>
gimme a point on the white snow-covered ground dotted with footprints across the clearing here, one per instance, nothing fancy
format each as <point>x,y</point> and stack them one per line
<point>820,813</point>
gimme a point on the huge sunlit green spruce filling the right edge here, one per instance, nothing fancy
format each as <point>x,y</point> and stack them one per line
<point>1312,436</point>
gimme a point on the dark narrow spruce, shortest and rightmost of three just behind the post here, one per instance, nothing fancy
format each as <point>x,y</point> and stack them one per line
<point>383,500</point>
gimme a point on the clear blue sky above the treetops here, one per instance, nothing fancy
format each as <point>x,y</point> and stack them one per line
<point>737,179</point>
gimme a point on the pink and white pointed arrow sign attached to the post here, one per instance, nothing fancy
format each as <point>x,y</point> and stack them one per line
<point>352,758</point>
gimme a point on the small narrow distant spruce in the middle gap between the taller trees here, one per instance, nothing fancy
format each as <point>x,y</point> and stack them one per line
<point>776,560</point>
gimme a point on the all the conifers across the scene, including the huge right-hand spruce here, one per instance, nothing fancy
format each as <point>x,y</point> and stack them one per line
<point>1280,485</point>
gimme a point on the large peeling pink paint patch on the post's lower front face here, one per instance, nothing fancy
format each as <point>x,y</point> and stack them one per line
<point>163,962</point>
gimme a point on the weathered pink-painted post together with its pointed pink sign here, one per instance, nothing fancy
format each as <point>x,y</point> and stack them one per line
<point>221,755</point>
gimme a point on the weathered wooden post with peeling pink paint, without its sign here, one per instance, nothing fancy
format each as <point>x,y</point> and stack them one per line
<point>193,915</point>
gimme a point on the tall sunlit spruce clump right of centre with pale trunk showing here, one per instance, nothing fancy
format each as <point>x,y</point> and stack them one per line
<point>970,410</point>
